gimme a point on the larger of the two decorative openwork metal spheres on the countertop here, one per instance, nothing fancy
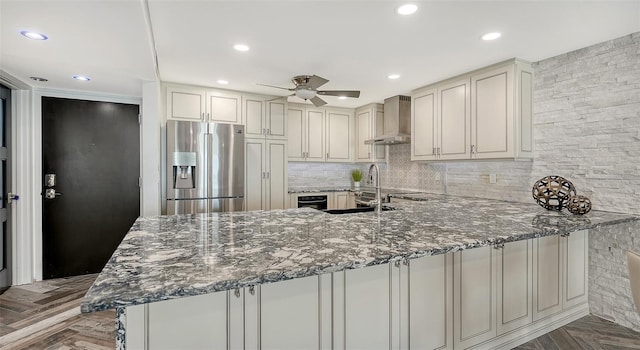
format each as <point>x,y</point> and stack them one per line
<point>553,192</point>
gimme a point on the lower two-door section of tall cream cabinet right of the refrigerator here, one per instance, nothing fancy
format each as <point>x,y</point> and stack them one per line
<point>265,174</point>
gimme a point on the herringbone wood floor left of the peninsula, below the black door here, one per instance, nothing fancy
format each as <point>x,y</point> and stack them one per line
<point>46,315</point>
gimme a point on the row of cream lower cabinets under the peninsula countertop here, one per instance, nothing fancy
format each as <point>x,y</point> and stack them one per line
<point>487,297</point>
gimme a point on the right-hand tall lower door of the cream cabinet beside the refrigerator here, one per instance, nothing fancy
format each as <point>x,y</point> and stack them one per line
<point>276,174</point>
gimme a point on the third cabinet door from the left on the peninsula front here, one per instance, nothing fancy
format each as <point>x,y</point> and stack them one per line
<point>367,308</point>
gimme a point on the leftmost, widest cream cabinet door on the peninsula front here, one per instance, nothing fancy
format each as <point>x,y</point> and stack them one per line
<point>198,322</point>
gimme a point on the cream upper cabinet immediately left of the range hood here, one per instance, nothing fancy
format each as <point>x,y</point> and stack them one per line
<point>369,123</point>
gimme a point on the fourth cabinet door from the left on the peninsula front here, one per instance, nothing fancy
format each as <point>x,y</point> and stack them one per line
<point>431,302</point>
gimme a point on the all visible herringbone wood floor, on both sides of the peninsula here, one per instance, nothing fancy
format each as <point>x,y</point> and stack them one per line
<point>45,315</point>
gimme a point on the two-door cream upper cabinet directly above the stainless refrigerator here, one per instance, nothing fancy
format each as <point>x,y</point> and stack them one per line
<point>201,104</point>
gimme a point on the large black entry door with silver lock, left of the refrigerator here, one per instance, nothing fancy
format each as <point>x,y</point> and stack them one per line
<point>93,149</point>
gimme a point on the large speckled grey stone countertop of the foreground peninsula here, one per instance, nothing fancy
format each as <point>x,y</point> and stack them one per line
<point>169,257</point>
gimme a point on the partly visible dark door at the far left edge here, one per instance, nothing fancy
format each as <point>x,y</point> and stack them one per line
<point>5,188</point>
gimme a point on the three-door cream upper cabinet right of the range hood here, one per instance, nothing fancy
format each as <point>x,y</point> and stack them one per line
<point>485,114</point>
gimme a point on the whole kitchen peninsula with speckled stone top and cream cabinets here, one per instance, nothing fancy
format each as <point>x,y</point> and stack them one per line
<point>405,278</point>
